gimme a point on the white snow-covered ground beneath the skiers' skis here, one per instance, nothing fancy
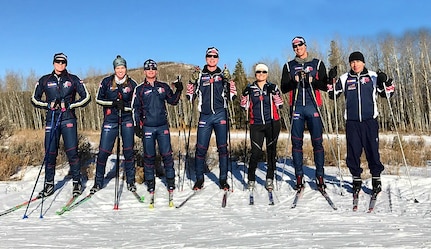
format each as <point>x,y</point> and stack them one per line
<point>397,222</point>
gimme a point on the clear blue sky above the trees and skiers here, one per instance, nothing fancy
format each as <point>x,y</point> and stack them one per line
<point>93,32</point>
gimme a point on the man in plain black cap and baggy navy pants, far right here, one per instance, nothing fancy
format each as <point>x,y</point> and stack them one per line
<point>360,87</point>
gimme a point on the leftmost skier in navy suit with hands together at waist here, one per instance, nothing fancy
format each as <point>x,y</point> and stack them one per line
<point>60,89</point>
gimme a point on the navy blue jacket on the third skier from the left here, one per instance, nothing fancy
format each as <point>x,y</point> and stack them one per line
<point>148,103</point>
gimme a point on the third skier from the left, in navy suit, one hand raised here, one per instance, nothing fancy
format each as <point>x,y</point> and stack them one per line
<point>151,123</point>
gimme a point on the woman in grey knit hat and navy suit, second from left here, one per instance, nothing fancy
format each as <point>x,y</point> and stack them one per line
<point>115,96</point>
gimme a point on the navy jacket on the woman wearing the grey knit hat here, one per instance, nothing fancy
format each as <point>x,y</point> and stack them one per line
<point>109,92</point>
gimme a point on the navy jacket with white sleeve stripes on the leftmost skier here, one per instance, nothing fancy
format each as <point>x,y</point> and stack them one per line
<point>60,89</point>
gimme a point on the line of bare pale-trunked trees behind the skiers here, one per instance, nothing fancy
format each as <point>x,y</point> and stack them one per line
<point>406,59</point>
